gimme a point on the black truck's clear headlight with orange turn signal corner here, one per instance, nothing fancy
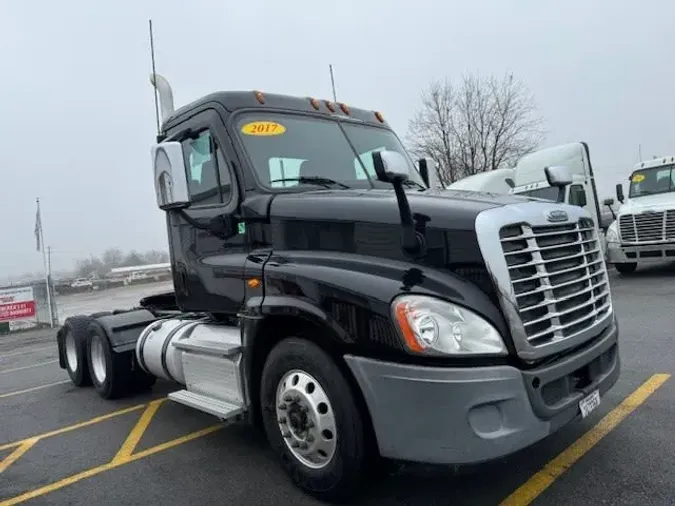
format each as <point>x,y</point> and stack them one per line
<point>432,326</point>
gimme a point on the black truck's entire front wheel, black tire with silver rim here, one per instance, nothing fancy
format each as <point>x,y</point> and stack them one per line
<point>341,476</point>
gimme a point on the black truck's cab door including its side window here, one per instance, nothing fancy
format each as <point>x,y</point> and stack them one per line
<point>208,264</point>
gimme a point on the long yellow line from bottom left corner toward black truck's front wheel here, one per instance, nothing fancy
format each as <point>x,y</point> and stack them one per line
<point>106,467</point>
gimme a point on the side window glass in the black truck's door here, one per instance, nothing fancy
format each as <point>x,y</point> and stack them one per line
<point>209,180</point>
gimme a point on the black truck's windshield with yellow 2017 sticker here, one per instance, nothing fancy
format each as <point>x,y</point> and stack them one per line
<point>283,147</point>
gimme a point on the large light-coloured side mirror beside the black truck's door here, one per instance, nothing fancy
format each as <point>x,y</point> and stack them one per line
<point>171,185</point>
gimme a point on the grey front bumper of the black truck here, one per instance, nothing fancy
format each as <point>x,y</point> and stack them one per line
<point>469,415</point>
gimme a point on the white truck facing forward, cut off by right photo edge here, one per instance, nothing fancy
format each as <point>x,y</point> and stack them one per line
<point>644,229</point>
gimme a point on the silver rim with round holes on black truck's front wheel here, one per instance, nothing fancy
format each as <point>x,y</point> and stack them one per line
<point>306,419</point>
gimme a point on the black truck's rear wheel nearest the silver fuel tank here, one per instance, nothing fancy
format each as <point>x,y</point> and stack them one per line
<point>110,372</point>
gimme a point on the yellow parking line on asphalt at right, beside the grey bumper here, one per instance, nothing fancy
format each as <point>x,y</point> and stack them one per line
<point>531,489</point>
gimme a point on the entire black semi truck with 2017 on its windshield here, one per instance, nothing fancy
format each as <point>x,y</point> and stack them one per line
<point>326,293</point>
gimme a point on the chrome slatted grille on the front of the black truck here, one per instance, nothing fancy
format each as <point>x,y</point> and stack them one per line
<point>559,279</point>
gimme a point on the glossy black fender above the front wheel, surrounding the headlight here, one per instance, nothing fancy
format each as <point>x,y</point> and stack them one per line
<point>352,294</point>
